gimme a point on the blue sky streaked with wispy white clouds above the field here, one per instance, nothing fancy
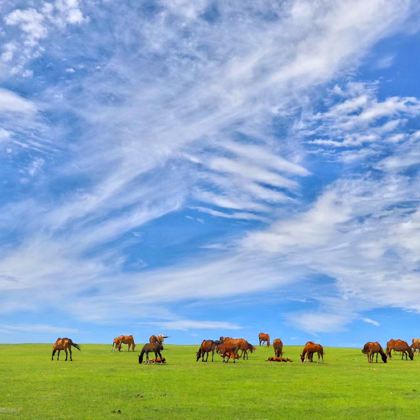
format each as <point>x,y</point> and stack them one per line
<point>209,168</point>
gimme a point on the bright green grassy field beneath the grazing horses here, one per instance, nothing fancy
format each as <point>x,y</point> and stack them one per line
<point>102,384</point>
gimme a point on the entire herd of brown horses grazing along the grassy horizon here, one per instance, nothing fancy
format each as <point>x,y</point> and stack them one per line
<point>236,348</point>
